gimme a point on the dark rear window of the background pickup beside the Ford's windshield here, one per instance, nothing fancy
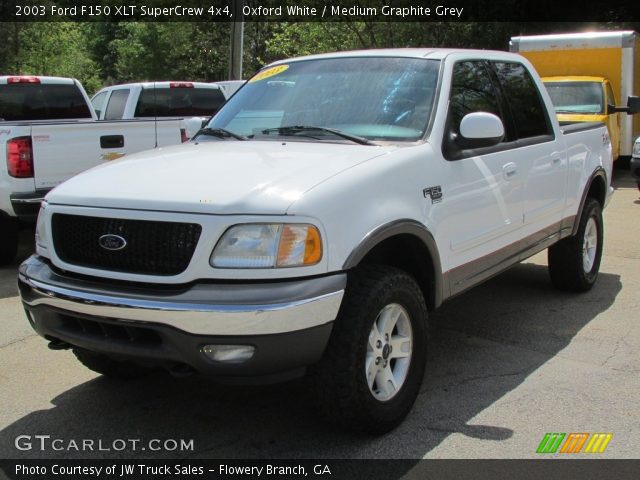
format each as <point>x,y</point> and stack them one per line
<point>179,102</point>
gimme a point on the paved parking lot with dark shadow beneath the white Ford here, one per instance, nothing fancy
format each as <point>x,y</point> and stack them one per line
<point>508,362</point>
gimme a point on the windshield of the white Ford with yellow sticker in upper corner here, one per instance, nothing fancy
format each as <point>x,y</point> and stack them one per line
<point>372,98</point>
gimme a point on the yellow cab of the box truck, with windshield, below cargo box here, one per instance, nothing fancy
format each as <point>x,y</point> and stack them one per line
<point>585,99</point>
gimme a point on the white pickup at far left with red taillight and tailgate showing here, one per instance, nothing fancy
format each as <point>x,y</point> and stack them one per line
<point>49,132</point>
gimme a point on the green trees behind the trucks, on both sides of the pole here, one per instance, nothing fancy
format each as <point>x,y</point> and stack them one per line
<point>105,53</point>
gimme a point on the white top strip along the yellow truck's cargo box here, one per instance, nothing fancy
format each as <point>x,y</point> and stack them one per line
<point>574,41</point>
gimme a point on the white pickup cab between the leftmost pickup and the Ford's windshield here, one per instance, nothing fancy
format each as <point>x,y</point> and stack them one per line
<point>196,102</point>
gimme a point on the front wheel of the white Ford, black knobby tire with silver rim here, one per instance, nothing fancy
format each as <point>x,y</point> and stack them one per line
<point>372,369</point>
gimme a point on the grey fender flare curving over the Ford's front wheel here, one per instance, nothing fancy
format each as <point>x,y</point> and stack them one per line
<point>392,229</point>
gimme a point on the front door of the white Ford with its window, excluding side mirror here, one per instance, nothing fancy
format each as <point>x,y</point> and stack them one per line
<point>485,186</point>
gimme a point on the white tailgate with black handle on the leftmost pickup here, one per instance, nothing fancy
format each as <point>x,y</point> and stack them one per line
<point>64,149</point>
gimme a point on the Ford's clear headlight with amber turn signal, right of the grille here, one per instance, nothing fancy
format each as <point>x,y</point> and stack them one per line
<point>268,246</point>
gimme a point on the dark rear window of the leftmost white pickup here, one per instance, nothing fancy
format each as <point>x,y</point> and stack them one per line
<point>42,101</point>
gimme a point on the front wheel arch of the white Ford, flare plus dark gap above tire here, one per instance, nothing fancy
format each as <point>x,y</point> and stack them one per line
<point>408,245</point>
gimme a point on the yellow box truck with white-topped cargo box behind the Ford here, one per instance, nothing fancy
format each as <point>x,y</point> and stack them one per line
<point>587,75</point>
